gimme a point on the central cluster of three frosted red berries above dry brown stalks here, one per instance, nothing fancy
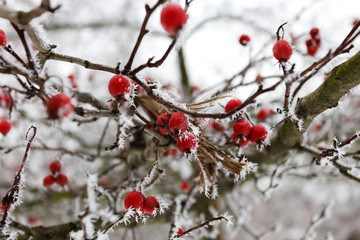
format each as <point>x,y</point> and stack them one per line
<point>177,124</point>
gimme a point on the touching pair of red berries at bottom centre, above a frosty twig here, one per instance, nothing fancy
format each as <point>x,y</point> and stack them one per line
<point>137,200</point>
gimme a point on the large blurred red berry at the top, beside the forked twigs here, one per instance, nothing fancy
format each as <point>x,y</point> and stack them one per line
<point>173,18</point>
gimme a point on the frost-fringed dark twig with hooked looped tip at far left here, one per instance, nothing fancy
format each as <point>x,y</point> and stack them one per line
<point>12,195</point>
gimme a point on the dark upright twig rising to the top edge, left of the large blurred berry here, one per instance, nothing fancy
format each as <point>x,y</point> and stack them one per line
<point>142,33</point>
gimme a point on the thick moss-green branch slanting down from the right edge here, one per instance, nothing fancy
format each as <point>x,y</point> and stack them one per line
<point>342,79</point>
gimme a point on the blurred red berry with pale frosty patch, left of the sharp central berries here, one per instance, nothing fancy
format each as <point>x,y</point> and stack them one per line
<point>59,106</point>
